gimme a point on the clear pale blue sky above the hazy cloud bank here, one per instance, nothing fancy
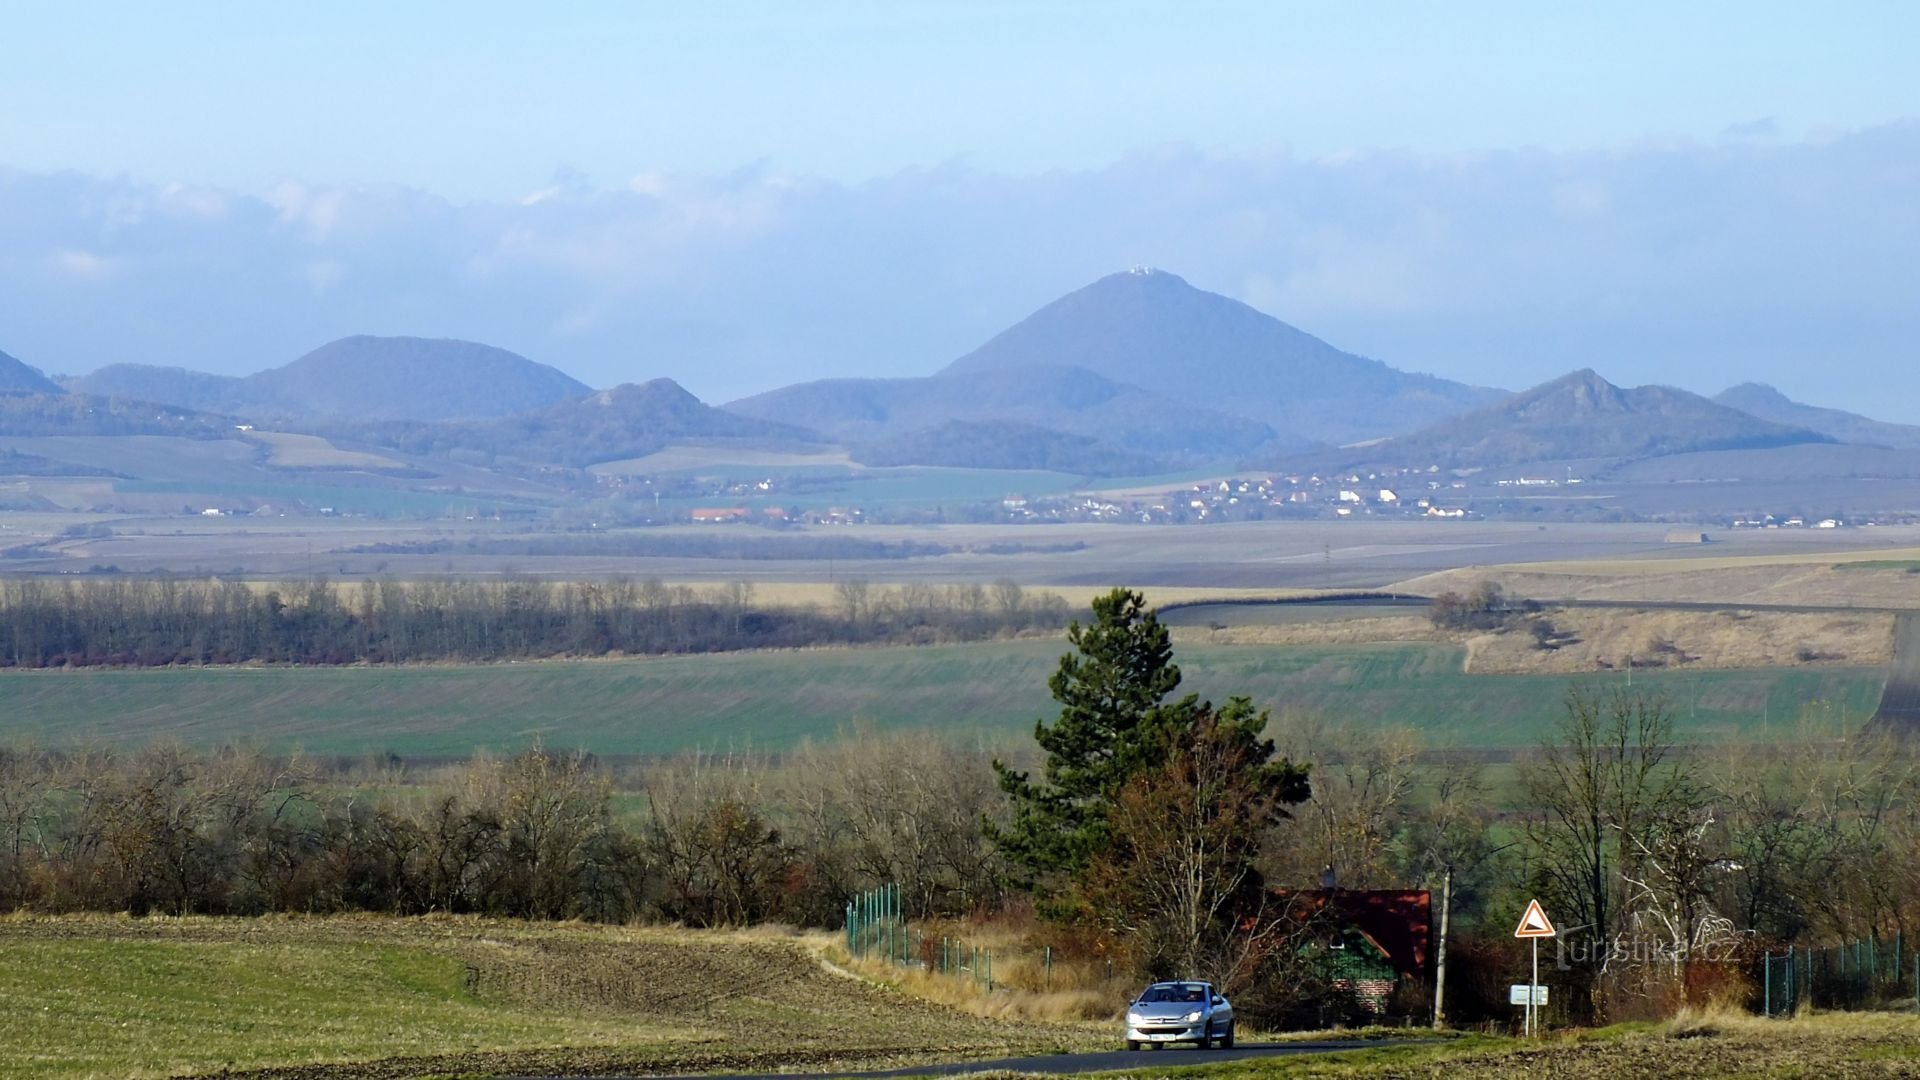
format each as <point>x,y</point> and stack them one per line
<point>489,101</point>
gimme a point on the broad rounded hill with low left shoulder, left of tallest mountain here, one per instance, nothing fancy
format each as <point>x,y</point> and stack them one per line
<point>362,378</point>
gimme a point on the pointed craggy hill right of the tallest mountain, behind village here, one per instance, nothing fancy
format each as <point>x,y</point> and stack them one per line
<point>1579,418</point>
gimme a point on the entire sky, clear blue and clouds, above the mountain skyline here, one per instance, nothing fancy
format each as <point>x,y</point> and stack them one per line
<point>744,195</point>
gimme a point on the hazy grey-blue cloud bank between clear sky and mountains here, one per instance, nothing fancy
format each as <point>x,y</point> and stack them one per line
<point>1696,264</point>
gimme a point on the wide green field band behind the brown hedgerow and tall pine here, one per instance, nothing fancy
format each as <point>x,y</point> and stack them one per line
<point>773,700</point>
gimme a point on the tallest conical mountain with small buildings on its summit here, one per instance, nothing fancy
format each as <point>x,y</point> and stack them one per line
<point>1155,331</point>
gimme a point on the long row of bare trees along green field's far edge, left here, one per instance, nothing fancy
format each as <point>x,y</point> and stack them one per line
<point>208,622</point>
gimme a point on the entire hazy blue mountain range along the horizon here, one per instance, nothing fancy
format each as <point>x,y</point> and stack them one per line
<point>1134,374</point>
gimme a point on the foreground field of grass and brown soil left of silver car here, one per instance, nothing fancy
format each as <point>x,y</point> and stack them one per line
<point>320,998</point>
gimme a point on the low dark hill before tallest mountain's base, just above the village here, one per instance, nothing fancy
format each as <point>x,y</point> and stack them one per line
<point>1007,445</point>
